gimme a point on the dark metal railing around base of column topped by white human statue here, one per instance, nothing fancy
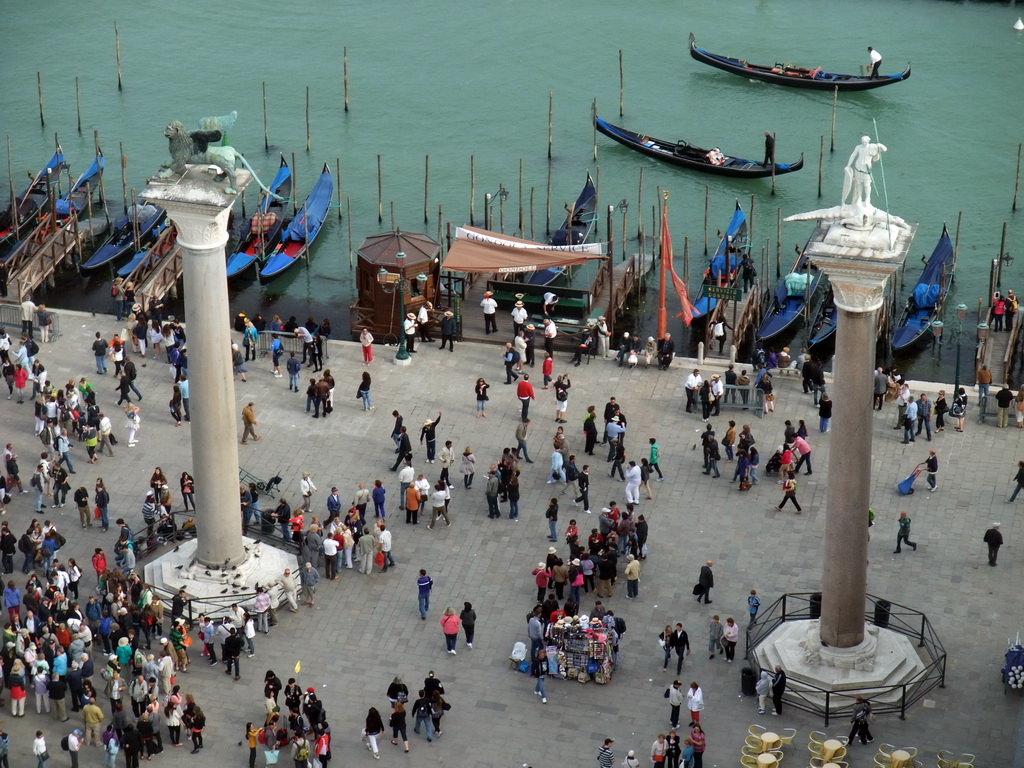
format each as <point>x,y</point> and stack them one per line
<point>829,704</point>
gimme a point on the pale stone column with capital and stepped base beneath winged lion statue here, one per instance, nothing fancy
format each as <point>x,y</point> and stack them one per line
<point>220,558</point>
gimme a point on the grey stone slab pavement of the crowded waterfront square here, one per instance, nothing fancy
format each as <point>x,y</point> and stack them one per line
<point>367,630</point>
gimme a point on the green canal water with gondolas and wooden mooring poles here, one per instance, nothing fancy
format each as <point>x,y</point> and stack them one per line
<point>459,79</point>
